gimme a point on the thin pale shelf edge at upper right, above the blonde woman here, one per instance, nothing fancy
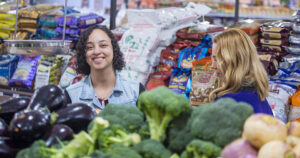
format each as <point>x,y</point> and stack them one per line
<point>224,15</point>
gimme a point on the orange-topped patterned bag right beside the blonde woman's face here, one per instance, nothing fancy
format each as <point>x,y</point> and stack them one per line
<point>204,81</point>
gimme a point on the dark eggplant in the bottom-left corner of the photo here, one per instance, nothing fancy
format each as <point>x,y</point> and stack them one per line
<point>6,150</point>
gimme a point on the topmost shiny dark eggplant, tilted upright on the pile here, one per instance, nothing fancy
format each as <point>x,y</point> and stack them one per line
<point>49,96</point>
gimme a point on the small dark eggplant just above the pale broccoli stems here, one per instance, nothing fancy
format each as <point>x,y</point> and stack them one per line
<point>58,131</point>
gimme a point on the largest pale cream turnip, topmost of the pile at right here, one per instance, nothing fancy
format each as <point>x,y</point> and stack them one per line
<point>260,129</point>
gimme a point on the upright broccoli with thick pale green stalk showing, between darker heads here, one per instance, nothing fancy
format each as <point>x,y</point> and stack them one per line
<point>160,106</point>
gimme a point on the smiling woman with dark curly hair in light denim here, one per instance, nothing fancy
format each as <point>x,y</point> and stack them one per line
<point>99,58</point>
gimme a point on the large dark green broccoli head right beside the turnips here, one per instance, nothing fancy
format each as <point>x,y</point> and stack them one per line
<point>219,122</point>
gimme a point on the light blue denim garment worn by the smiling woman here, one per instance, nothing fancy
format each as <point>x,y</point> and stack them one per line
<point>125,92</point>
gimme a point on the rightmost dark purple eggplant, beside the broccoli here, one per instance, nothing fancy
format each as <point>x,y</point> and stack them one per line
<point>77,116</point>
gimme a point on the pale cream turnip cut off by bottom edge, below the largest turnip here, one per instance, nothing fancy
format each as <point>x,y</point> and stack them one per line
<point>276,149</point>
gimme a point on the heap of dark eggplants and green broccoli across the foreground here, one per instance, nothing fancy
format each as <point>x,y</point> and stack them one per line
<point>163,125</point>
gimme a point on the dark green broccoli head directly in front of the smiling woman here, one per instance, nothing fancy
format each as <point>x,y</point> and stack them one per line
<point>129,117</point>
